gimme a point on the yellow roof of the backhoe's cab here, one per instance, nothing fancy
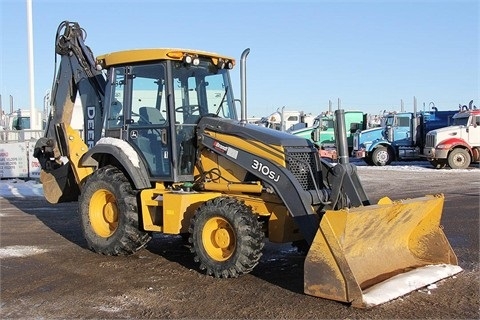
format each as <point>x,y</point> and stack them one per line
<point>142,55</point>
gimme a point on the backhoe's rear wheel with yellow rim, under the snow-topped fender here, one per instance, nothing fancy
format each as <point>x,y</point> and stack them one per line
<point>109,214</point>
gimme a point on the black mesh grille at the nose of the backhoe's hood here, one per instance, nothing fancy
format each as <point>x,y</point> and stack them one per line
<point>300,164</point>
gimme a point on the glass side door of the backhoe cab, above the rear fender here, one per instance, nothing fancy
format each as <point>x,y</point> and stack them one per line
<point>139,113</point>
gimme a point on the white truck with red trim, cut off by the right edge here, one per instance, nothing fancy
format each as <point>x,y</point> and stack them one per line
<point>458,145</point>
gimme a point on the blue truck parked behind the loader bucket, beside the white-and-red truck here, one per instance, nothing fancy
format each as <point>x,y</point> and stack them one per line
<point>401,138</point>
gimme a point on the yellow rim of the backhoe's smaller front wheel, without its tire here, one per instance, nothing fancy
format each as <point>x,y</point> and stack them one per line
<point>218,239</point>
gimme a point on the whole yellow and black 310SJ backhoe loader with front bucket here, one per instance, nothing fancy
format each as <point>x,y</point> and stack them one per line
<point>163,151</point>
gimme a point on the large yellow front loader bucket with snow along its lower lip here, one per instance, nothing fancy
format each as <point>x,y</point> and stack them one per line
<point>370,255</point>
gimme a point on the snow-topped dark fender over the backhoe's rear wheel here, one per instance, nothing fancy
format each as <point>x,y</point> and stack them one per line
<point>124,154</point>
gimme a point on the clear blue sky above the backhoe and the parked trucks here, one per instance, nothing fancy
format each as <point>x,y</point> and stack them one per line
<point>370,54</point>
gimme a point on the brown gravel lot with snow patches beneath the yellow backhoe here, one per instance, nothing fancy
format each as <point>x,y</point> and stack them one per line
<point>47,272</point>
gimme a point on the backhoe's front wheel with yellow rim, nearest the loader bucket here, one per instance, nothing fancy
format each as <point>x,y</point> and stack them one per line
<point>226,237</point>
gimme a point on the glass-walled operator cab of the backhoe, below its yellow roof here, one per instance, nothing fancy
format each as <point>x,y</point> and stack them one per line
<point>156,105</point>
